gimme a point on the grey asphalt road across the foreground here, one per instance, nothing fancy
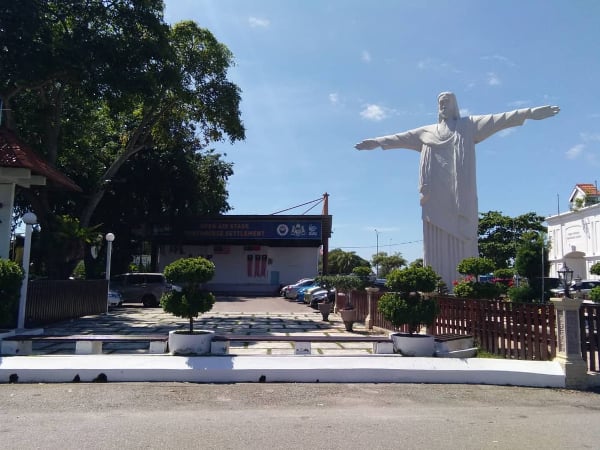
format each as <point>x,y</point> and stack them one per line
<point>295,416</point>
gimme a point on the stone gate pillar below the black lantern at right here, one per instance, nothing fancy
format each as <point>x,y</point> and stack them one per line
<point>568,352</point>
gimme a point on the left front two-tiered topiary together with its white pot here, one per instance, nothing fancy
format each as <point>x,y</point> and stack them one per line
<point>188,299</point>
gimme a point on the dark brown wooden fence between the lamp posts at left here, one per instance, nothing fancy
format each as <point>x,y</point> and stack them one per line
<point>51,301</point>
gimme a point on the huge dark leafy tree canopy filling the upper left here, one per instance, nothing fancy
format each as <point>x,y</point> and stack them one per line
<point>123,103</point>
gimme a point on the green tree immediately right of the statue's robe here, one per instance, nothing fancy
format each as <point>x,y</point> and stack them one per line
<point>500,236</point>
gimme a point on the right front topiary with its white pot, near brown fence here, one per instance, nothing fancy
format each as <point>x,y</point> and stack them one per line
<point>409,304</point>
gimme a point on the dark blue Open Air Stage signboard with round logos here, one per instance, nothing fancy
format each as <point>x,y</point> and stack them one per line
<point>294,230</point>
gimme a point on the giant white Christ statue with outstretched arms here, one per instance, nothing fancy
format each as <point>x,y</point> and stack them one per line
<point>447,179</point>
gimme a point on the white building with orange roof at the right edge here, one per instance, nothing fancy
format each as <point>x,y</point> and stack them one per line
<point>574,236</point>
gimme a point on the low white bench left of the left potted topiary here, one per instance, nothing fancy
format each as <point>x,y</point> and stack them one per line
<point>85,344</point>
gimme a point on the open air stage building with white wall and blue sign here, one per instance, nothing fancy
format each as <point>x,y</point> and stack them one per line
<point>252,254</point>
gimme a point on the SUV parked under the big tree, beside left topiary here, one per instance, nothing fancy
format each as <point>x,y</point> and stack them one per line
<point>146,288</point>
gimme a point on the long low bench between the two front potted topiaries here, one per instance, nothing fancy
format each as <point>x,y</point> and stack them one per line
<point>302,344</point>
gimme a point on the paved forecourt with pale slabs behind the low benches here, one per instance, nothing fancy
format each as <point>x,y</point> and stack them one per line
<point>238,315</point>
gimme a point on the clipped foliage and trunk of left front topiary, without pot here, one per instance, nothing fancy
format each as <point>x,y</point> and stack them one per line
<point>188,298</point>
